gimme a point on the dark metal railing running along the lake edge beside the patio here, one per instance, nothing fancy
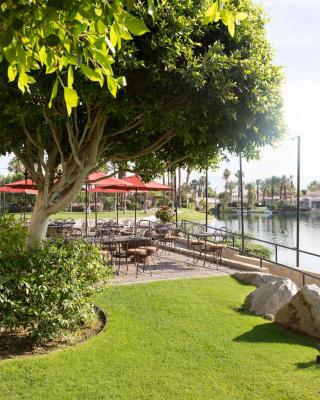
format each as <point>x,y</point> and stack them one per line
<point>189,226</point>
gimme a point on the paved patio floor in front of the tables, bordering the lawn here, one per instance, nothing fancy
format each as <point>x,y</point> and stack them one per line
<point>175,266</point>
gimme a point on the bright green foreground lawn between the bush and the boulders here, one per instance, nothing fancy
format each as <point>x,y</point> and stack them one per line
<point>173,340</point>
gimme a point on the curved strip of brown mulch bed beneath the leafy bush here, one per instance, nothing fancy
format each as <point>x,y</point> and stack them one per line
<point>13,346</point>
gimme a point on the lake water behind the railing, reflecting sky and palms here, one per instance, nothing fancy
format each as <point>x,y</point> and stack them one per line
<point>280,229</point>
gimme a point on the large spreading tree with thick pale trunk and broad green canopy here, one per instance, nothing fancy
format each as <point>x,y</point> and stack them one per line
<point>62,54</point>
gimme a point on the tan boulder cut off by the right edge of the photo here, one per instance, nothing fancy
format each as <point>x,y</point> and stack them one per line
<point>302,313</point>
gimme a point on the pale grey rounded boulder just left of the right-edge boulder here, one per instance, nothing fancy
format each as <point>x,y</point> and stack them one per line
<point>270,297</point>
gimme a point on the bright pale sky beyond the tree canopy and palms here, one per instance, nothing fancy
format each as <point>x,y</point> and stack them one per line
<point>294,32</point>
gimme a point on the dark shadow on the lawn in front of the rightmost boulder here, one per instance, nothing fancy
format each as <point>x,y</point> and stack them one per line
<point>271,333</point>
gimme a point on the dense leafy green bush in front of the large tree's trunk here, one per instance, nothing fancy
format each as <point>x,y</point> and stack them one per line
<point>46,290</point>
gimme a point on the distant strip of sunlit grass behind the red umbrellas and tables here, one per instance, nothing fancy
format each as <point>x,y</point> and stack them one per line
<point>183,213</point>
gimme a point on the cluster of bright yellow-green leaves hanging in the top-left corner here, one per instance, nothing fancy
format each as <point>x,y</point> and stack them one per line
<point>64,35</point>
